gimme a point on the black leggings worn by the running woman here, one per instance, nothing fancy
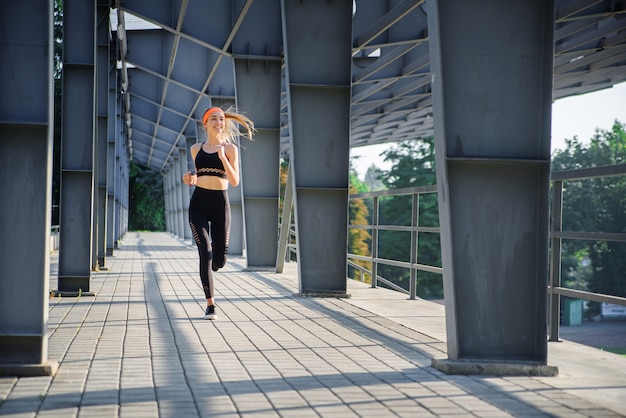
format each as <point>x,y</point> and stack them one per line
<point>209,218</point>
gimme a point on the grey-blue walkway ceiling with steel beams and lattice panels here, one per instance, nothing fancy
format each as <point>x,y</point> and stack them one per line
<point>176,57</point>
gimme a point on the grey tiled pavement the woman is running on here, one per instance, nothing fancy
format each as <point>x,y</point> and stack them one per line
<point>141,348</point>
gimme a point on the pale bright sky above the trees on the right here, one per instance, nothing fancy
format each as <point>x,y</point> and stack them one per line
<point>571,116</point>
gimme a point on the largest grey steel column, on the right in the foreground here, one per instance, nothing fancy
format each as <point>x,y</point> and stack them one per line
<point>492,94</point>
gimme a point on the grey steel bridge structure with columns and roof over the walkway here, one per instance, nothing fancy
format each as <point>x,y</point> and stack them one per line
<point>318,77</point>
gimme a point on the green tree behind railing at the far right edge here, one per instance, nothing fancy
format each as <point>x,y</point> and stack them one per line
<point>594,205</point>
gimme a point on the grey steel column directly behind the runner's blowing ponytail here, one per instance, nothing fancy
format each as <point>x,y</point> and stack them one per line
<point>258,89</point>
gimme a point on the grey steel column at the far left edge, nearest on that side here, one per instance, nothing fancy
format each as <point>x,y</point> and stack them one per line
<point>26,136</point>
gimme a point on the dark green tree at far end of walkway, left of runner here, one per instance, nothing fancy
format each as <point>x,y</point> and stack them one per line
<point>146,203</point>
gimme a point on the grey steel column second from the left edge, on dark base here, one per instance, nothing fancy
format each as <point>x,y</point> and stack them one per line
<point>75,244</point>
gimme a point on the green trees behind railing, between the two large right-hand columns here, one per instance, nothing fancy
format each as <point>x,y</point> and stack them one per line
<point>413,164</point>
